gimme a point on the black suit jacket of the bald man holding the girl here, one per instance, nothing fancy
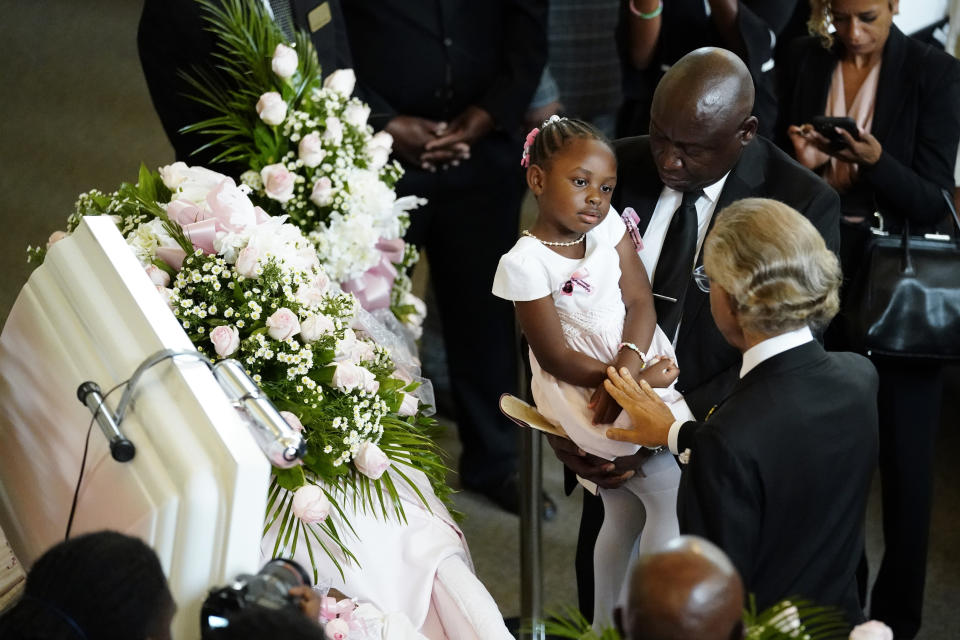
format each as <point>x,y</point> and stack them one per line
<point>708,365</point>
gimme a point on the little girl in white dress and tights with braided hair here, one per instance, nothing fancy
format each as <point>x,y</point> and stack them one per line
<point>584,303</point>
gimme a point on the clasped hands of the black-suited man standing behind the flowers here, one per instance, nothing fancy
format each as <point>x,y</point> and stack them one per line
<point>431,144</point>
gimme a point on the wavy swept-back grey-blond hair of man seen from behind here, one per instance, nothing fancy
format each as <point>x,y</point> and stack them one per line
<point>775,266</point>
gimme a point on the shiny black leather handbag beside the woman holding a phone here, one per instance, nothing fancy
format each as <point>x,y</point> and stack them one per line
<point>905,300</point>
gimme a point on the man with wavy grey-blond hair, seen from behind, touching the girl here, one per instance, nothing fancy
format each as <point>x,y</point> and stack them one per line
<point>779,473</point>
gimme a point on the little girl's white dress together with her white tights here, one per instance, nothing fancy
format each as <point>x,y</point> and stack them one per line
<point>587,296</point>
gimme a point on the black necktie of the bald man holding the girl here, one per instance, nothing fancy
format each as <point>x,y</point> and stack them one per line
<point>675,265</point>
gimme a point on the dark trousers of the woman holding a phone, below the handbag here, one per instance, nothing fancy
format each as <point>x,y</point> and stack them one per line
<point>909,404</point>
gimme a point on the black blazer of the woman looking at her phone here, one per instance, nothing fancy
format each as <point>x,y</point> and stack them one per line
<point>916,119</point>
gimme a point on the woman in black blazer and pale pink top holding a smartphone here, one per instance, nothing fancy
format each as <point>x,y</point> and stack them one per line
<point>902,96</point>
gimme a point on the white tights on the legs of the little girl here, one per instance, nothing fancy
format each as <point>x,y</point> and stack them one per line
<point>639,517</point>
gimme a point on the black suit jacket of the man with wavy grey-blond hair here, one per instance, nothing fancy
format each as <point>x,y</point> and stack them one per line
<point>780,474</point>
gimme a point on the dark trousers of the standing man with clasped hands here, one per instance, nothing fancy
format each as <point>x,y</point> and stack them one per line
<point>471,220</point>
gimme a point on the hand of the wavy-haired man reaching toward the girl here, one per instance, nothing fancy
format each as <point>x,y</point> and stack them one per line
<point>651,418</point>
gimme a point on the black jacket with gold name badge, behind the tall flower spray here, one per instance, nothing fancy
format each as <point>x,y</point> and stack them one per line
<point>171,38</point>
